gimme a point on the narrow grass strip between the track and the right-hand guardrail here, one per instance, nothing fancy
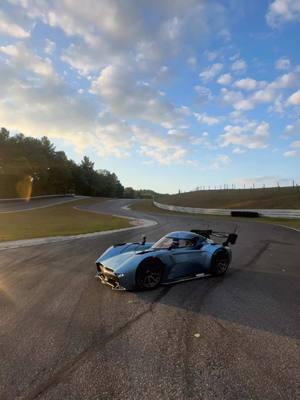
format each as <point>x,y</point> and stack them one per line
<point>148,207</point>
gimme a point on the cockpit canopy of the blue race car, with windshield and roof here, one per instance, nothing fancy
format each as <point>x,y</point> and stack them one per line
<point>180,239</point>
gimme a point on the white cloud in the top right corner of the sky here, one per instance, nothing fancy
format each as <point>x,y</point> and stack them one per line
<point>283,11</point>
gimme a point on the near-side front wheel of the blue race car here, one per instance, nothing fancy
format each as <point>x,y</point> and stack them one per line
<point>149,274</point>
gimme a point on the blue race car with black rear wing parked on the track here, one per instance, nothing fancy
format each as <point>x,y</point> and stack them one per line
<point>176,257</point>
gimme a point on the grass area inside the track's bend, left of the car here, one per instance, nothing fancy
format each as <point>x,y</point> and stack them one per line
<point>58,220</point>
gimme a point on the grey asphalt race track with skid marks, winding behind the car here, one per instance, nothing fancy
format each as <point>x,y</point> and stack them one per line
<point>63,335</point>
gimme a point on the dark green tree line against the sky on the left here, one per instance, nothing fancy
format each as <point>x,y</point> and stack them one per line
<point>27,161</point>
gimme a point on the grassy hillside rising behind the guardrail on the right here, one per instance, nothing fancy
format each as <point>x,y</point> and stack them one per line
<point>284,198</point>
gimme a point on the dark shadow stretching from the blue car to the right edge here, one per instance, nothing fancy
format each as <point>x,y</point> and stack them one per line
<point>253,299</point>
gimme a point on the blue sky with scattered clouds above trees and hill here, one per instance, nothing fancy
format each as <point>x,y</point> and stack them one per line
<point>167,94</point>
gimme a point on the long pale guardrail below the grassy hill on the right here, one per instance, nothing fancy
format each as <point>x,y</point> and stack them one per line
<point>292,214</point>
